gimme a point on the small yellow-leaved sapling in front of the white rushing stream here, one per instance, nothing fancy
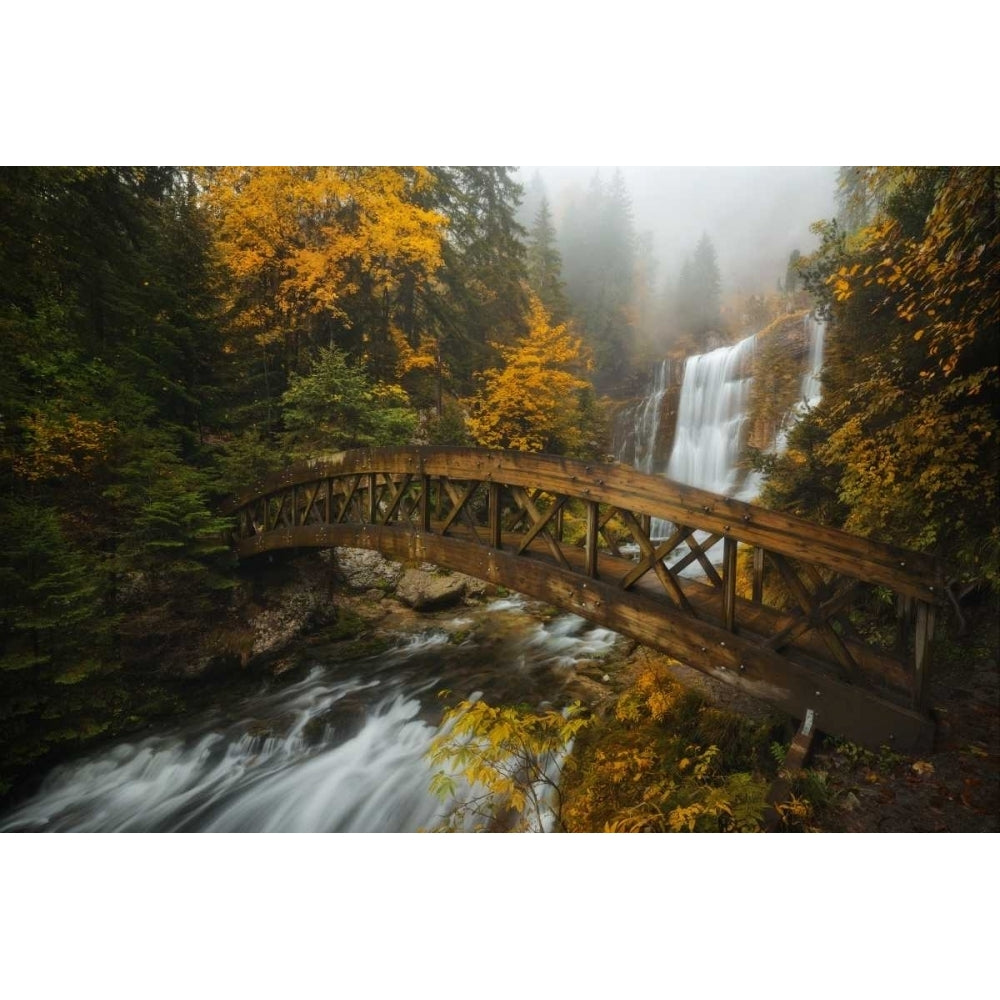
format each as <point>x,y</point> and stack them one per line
<point>508,759</point>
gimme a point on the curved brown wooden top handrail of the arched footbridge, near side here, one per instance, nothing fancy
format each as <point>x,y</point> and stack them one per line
<point>913,574</point>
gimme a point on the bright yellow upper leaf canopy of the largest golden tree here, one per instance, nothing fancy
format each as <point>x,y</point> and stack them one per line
<point>297,240</point>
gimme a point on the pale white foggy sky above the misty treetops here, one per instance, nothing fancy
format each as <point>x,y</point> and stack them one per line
<point>754,216</point>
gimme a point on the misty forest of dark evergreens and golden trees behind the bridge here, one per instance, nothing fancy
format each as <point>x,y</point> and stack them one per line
<point>171,334</point>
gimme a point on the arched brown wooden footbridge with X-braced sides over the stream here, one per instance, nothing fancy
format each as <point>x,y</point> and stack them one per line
<point>771,618</point>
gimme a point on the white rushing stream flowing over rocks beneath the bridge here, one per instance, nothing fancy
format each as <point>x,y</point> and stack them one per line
<point>343,748</point>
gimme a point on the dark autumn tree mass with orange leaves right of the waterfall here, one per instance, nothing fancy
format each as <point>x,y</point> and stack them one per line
<point>904,440</point>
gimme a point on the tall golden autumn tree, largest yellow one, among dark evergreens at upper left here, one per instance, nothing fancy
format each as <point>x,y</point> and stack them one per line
<point>319,256</point>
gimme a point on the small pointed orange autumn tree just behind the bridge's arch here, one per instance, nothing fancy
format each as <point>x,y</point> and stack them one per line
<point>540,400</point>
